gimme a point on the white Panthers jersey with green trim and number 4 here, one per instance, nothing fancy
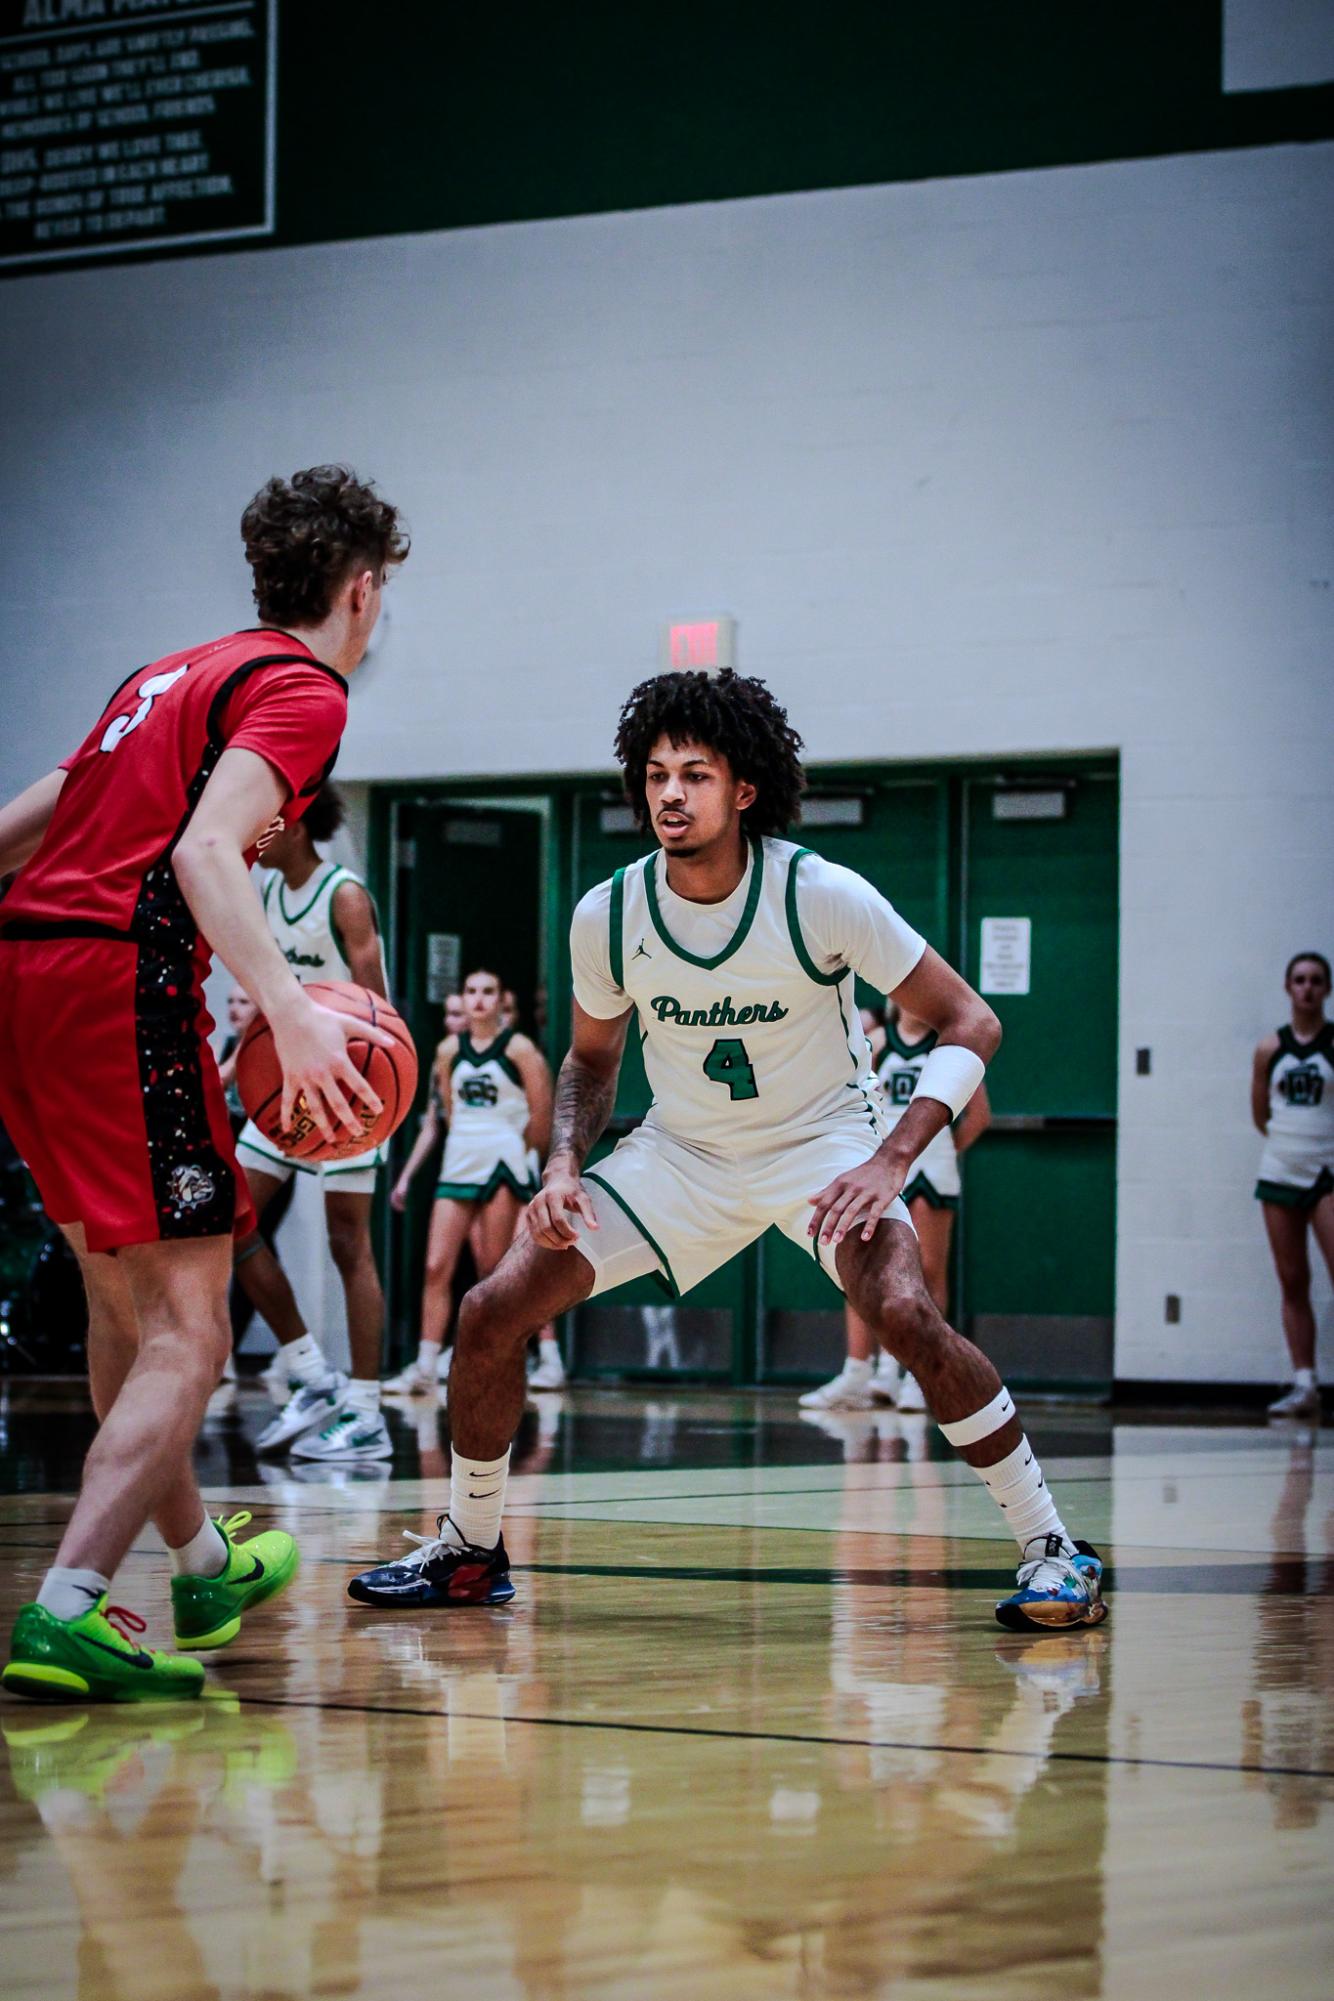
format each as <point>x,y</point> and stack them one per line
<point>747,1008</point>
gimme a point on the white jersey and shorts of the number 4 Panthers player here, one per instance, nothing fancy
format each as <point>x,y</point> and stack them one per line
<point>755,1052</point>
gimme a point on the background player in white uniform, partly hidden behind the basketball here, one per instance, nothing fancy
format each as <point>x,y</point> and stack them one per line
<point>327,925</point>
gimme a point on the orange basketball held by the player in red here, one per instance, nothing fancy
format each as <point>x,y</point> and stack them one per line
<point>381,1062</point>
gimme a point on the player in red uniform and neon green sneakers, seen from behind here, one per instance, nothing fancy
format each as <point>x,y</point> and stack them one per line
<point>135,865</point>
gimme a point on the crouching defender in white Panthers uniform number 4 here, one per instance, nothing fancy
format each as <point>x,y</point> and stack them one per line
<point>733,955</point>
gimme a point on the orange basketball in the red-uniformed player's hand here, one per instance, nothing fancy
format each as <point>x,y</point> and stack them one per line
<point>391,1076</point>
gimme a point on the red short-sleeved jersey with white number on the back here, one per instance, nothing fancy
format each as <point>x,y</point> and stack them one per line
<point>105,865</point>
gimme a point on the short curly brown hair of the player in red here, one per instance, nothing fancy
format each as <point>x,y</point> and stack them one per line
<point>305,535</point>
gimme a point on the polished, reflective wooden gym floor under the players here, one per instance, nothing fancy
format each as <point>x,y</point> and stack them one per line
<point>747,1730</point>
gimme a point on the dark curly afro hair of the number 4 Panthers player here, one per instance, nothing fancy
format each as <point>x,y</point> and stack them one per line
<point>729,713</point>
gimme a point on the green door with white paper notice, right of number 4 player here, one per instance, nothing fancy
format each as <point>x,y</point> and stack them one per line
<point>1039,1222</point>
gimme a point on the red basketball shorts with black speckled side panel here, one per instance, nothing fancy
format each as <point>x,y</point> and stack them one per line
<point>111,1092</point>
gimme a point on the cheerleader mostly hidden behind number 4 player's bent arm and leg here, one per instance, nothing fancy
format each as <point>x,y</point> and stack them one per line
<point>933,1194</point>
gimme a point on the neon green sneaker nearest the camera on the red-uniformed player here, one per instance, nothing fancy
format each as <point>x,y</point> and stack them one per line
<point>95,1658</point>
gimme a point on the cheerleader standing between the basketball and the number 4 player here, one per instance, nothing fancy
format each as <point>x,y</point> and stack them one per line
<point>495,1092</point>
